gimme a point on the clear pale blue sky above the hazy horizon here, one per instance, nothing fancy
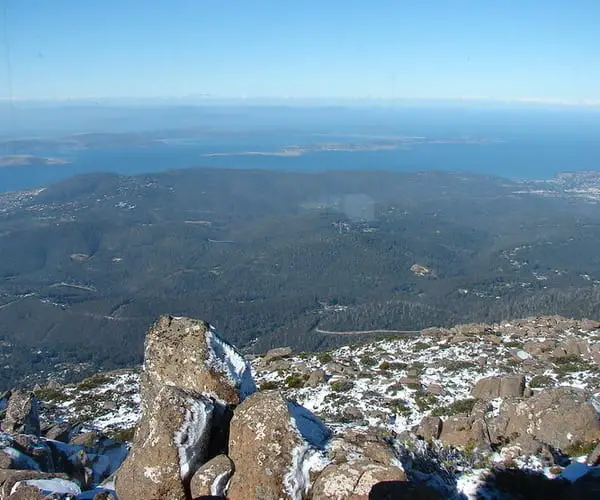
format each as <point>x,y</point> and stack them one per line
<point>501,49</point>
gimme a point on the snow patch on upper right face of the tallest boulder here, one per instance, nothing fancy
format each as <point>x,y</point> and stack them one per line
<point>229,361</point>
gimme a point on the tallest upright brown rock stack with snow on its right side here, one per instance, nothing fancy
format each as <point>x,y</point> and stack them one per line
<point>189,379</point>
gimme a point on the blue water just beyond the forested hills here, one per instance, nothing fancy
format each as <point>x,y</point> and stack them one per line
<point>521,157</point>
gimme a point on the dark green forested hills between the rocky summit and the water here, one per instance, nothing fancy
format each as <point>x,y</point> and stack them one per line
<point>275,258</point>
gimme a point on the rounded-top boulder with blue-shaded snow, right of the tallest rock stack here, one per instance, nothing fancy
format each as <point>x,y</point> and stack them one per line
<point>269,439</point>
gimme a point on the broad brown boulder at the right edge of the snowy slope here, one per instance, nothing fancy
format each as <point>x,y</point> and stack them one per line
<point>559,417</point>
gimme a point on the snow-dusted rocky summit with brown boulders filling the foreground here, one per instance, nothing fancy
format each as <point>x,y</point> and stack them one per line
<point>507,410</point>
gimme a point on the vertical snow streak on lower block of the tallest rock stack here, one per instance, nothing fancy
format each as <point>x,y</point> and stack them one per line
<point>193,436</point>
